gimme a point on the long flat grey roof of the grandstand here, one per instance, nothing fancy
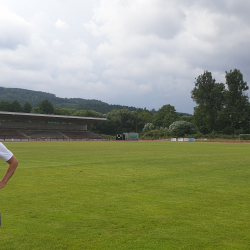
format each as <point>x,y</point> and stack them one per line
<point>48,118</point>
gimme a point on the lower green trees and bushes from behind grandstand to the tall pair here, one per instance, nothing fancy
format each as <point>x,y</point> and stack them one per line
<point>118,121</point>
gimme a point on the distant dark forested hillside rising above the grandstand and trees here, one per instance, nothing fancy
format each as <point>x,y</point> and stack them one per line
<point>34,97</point>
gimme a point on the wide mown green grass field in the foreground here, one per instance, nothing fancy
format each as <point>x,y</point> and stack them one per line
<point>127,195</point>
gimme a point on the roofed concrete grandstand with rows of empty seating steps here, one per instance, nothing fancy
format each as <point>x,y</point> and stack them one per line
<point>33,127</point>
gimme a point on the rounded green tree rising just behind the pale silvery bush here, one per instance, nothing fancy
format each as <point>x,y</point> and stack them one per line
<point>165,116</point>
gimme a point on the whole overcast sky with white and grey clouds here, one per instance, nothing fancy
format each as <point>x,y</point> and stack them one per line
<point>142,53</point>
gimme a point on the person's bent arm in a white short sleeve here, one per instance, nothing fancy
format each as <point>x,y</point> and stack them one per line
<point>9,157</point>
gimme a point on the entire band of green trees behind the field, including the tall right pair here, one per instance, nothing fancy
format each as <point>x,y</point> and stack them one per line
<point>221,109</point>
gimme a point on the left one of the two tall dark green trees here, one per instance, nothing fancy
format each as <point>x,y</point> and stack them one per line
<point>209,96</point>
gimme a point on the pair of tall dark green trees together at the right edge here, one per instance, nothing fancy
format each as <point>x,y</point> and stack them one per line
<point>221,108</point>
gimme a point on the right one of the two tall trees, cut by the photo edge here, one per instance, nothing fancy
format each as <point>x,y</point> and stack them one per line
<point>236,102</point>
